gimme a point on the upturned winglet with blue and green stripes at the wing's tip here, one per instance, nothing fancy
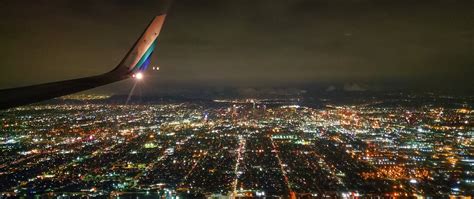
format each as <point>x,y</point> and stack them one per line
<point>138,58</point>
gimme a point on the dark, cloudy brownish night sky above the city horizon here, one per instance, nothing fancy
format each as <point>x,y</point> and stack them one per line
<point>245,43</point>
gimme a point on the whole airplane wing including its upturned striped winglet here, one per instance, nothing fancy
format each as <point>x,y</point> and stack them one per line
<point>136,60</point>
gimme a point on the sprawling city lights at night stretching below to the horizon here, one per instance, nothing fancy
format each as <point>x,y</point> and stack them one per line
<point>230,148</point>
